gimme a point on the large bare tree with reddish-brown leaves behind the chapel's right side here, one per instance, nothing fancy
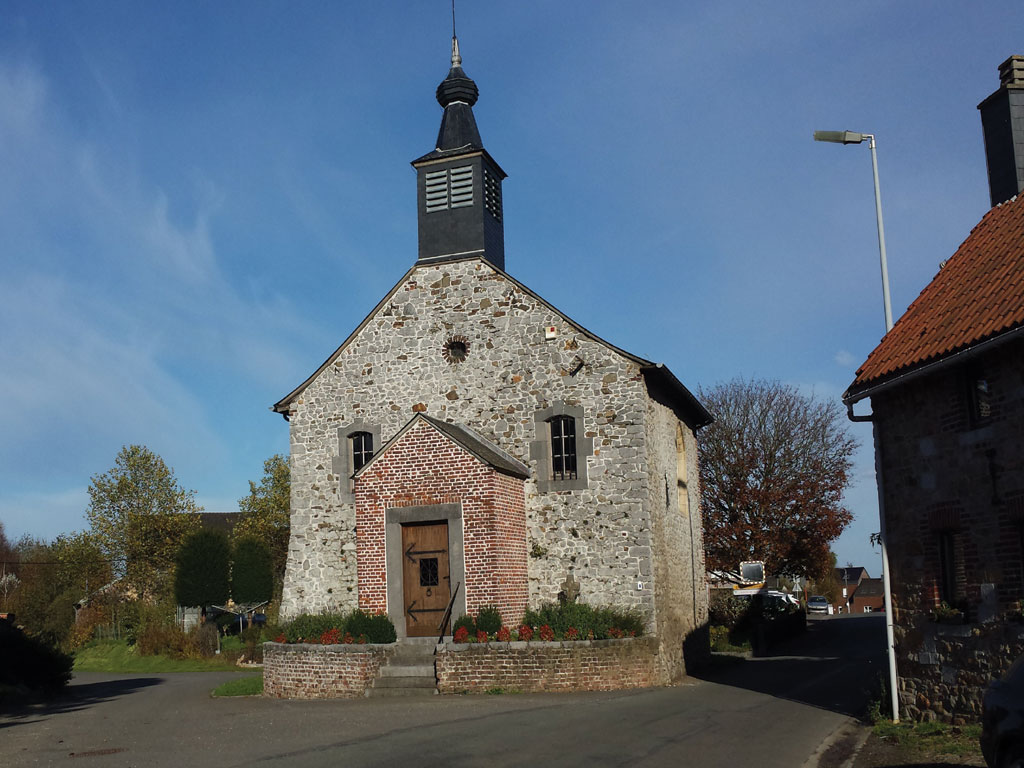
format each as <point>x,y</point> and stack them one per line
<point>774,468</point>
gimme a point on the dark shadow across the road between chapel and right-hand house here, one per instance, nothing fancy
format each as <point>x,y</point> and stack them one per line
<point>836,666</point>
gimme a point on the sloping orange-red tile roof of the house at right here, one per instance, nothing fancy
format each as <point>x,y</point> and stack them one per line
<point>978,294</point>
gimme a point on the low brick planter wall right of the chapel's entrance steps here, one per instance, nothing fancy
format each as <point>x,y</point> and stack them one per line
<point>536,667</point>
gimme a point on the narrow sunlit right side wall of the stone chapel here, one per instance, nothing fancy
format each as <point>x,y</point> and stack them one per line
<point>676,547</point>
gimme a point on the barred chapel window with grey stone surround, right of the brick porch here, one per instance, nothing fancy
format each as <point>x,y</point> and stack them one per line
<point>561,448</point>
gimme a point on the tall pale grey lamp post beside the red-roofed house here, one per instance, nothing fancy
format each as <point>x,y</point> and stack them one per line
<point>850,138</point>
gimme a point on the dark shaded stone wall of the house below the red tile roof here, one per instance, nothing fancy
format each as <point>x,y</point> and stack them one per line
<point>944,473</point>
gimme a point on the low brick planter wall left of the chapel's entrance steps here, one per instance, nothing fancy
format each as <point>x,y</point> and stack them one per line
<point>306,671</point>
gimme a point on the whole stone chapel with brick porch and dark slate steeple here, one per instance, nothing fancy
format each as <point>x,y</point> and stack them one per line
<point>470,439</point>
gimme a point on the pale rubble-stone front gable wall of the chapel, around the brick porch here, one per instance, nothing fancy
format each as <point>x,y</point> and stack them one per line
<point>395,362</point>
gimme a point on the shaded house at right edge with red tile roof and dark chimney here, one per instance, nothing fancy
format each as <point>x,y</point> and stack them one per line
<point>947,390</point>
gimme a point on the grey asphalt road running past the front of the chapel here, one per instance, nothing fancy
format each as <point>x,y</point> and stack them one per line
<point>769,712</point>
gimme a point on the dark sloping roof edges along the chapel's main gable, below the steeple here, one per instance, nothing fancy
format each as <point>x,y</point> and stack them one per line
<point>663,385</point>
